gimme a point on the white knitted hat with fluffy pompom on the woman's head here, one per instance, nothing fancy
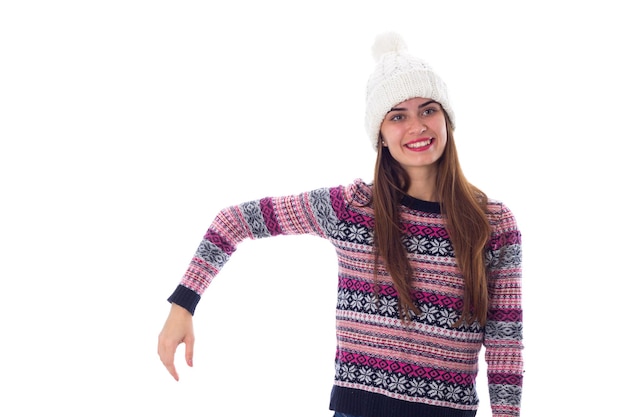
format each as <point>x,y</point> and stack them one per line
<point>397,77</point>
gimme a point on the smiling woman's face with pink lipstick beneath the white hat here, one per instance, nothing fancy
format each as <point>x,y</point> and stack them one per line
<point>415,133</point>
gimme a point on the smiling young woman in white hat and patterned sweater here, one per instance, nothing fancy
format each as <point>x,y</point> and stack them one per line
<point>429,267</point>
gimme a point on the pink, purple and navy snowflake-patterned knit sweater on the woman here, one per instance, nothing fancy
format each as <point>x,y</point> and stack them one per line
<point>383,366</point>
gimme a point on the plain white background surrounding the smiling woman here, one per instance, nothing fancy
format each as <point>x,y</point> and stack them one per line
<point>126,125</point>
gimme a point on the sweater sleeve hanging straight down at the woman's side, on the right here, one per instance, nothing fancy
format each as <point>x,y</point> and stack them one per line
<point>503,331</point>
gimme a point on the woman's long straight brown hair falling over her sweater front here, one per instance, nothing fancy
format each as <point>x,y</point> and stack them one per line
<point>463,207</point>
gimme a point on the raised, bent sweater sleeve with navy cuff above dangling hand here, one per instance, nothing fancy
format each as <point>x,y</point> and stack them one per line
<point>305,213</point>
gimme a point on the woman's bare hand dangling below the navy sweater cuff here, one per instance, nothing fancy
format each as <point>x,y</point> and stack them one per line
<point>178,328</point>
